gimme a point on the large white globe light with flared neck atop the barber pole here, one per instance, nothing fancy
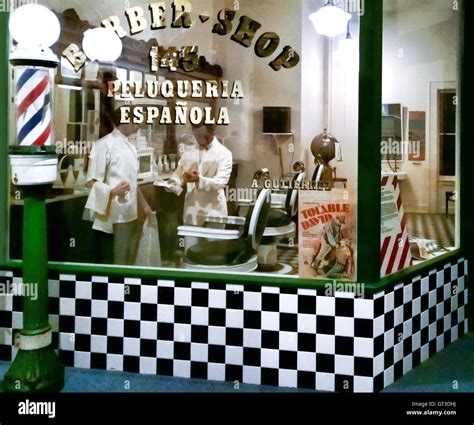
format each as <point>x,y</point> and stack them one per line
<point>35,29</point>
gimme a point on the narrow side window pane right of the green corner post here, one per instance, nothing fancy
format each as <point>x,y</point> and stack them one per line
<point>420,137</point>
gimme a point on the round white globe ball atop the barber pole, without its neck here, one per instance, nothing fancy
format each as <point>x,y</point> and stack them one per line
<point>33,25</point>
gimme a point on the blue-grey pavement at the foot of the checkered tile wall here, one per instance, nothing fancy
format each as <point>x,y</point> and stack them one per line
<point>452,370</point>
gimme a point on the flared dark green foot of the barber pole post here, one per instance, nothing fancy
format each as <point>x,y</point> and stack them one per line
<point>35,371</point>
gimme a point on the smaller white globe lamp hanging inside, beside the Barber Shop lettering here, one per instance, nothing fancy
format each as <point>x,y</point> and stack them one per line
<point>102,45</point>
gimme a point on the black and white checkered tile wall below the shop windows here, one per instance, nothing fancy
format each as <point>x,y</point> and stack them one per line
<point>256,335</point>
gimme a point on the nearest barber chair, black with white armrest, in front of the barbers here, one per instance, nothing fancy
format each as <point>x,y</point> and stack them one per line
<point>228,250</point>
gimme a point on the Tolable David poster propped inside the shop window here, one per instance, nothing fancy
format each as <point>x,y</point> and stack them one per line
<point>327,234</point>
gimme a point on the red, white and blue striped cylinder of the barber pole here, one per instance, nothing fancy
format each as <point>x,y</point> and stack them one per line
<point>33,106</point>
